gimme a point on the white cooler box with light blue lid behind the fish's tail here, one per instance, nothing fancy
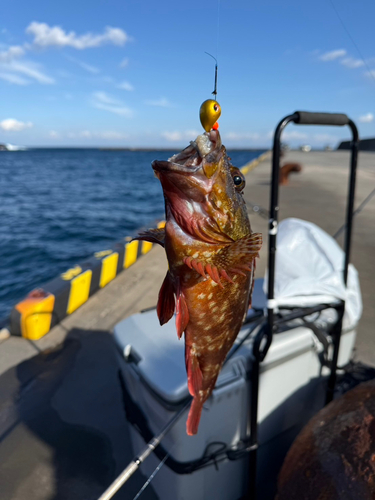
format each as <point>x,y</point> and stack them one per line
<point>152,367</point>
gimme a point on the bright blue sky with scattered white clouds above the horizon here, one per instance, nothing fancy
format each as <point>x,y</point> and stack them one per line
<point>133,73</point>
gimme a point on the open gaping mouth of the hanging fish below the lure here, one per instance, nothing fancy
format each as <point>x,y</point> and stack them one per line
<point>205,148</point>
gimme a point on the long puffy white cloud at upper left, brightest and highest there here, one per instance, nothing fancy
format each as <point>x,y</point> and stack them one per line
<point>55,36</point>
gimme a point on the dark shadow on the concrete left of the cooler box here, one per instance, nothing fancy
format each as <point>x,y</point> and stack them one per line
<point>63,433</point>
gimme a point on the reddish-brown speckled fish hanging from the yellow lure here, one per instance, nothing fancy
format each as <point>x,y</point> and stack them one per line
<point>211,252</point>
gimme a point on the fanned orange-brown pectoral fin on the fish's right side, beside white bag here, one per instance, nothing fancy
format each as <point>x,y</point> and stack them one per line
<point>240,255</point>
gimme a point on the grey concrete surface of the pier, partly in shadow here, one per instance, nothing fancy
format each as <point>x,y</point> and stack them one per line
<point>62,428</point>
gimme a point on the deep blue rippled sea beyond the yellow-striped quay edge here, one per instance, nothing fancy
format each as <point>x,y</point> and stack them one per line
<point>59,206</point>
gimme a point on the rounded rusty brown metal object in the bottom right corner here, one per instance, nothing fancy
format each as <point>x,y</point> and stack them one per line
<point>333,458</point>
